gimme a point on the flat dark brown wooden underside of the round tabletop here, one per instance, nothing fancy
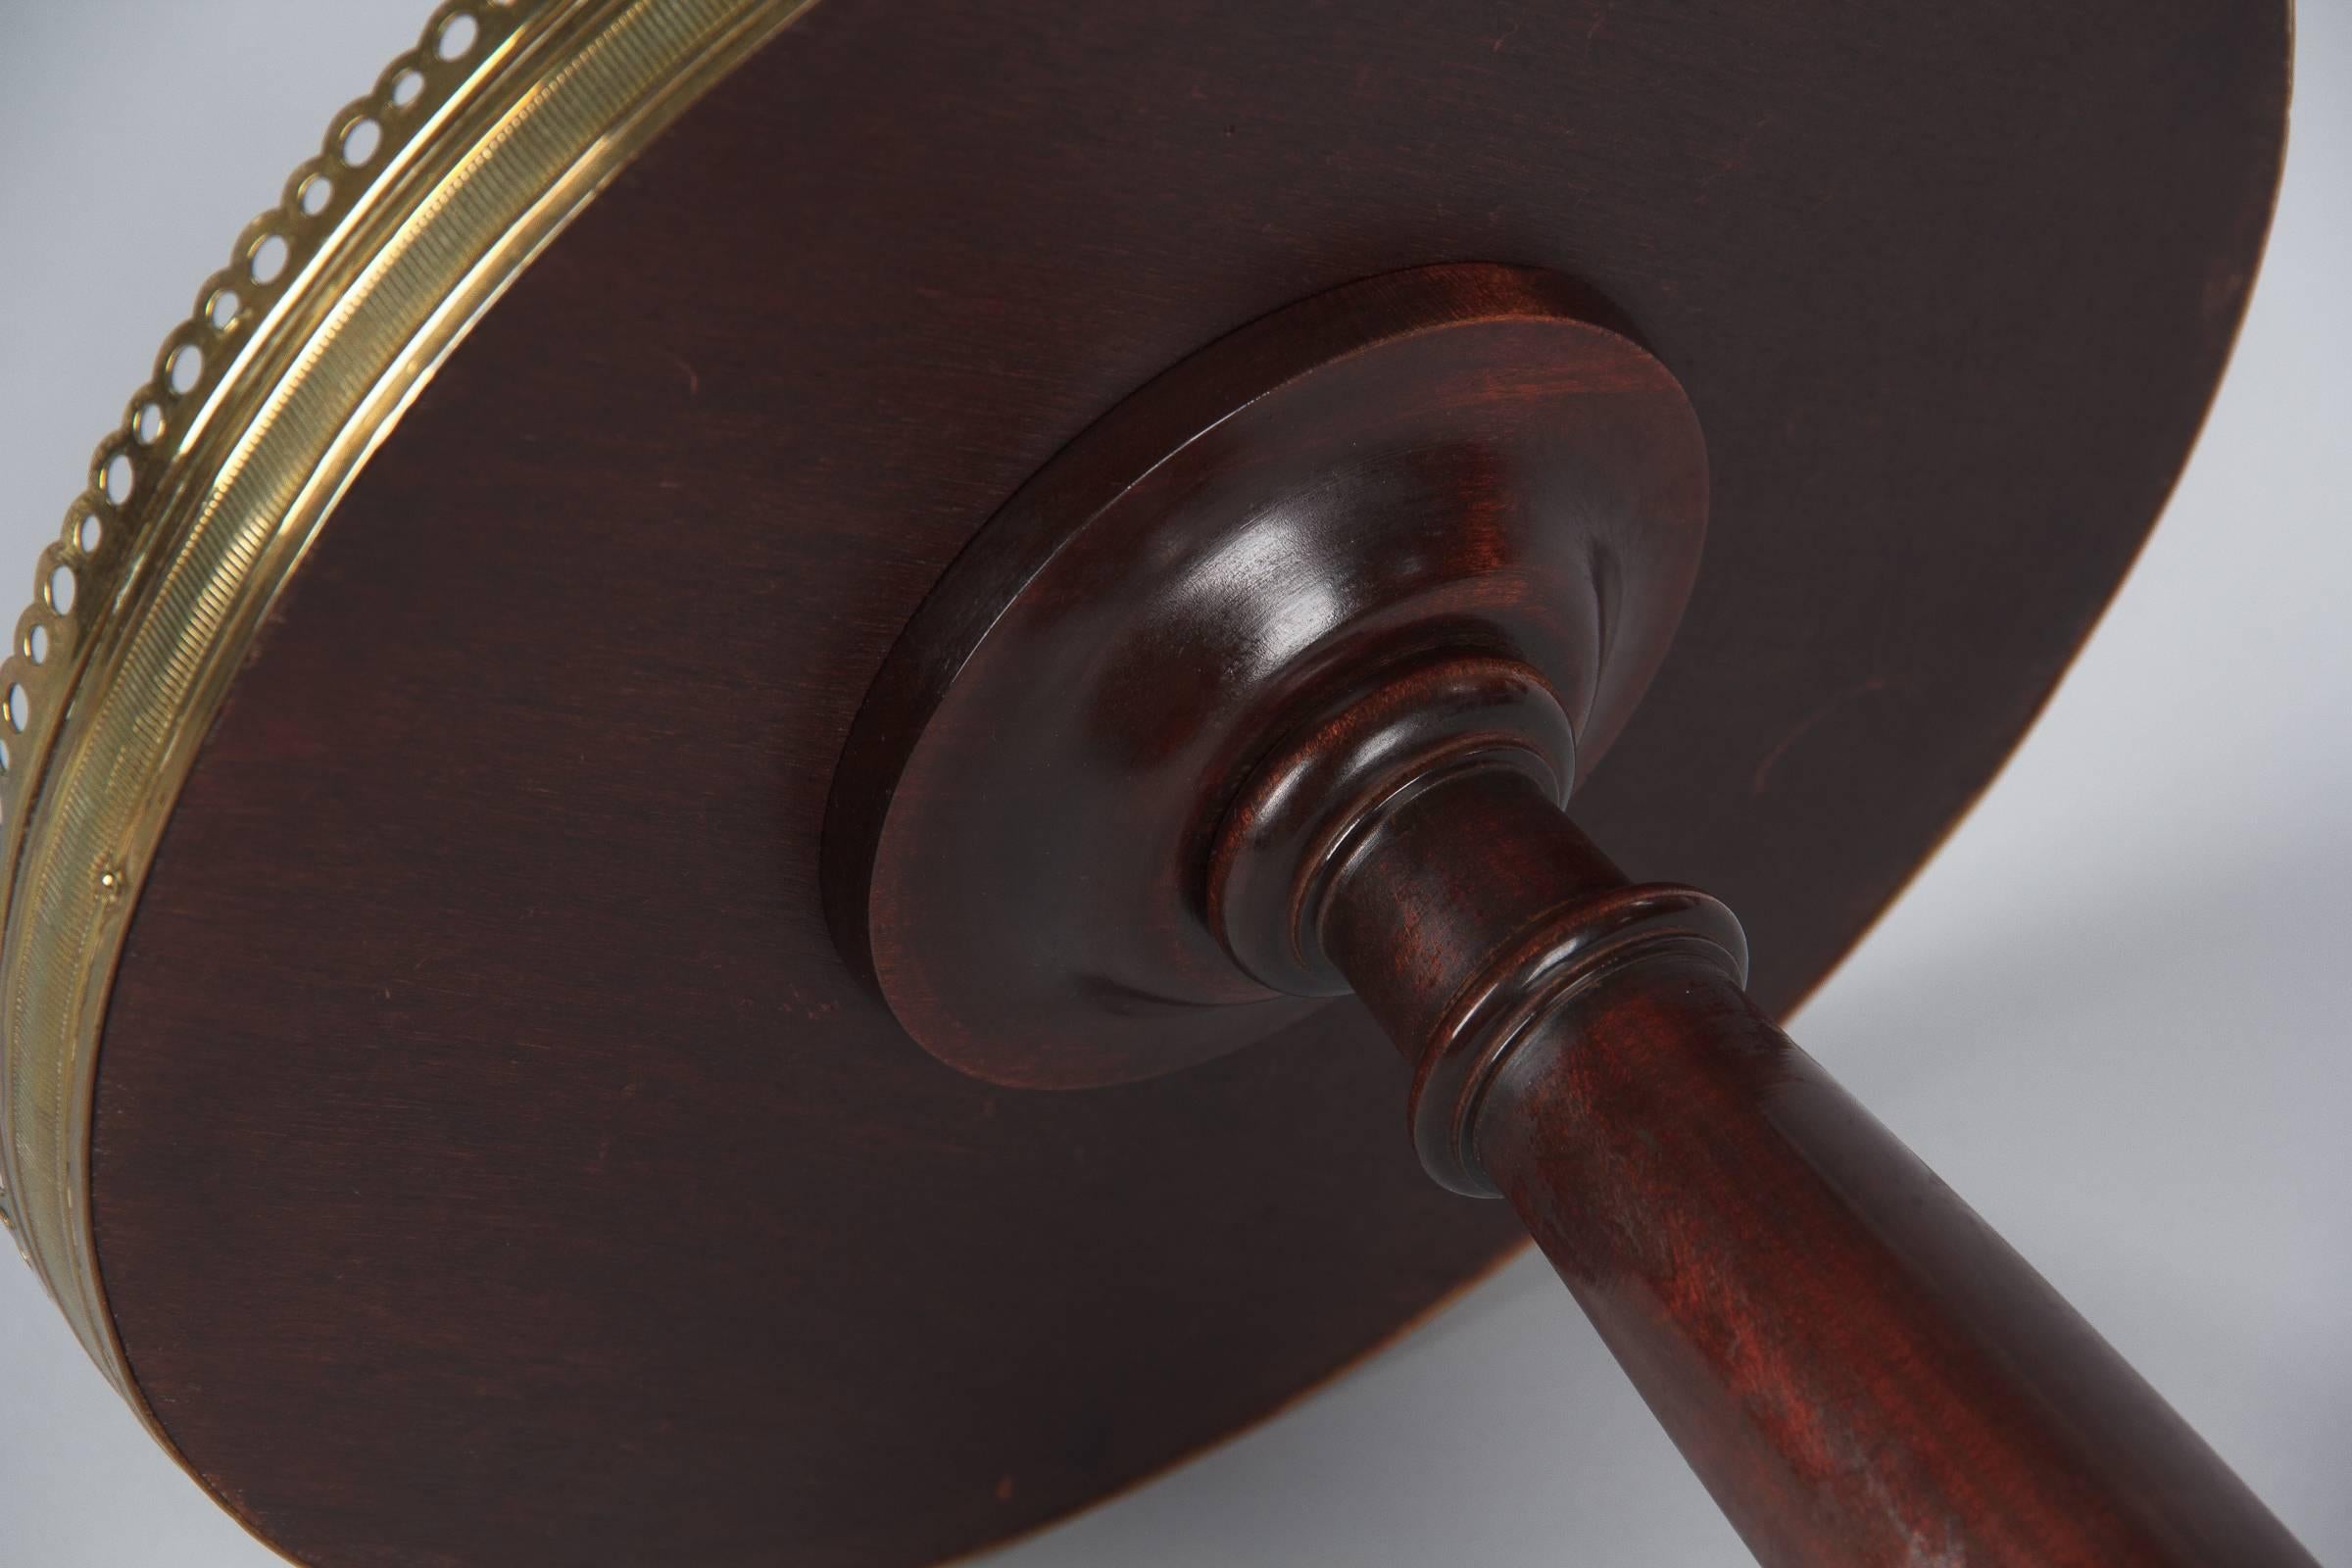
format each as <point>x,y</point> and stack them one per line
<point>486,1118</point>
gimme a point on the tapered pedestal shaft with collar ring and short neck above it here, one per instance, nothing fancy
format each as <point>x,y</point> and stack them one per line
<point>1857,1367</point>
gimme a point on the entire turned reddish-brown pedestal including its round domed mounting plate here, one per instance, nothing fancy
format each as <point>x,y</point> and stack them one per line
<point>1276,688</point>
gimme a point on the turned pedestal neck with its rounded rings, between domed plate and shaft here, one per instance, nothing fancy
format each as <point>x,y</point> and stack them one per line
<point>1339,869</point>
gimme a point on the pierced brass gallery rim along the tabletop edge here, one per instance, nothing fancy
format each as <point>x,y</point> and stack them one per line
<point>425,203</point>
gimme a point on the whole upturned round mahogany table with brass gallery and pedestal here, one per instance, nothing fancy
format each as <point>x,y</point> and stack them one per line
<point>742,789</point>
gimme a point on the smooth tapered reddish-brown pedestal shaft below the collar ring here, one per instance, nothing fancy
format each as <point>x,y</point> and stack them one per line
<point>1847,1355</point>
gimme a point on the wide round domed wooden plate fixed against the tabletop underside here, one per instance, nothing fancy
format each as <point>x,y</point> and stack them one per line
<point>1457,457</point>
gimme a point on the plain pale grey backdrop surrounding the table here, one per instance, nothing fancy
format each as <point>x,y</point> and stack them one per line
<point>2111,1012</point>
